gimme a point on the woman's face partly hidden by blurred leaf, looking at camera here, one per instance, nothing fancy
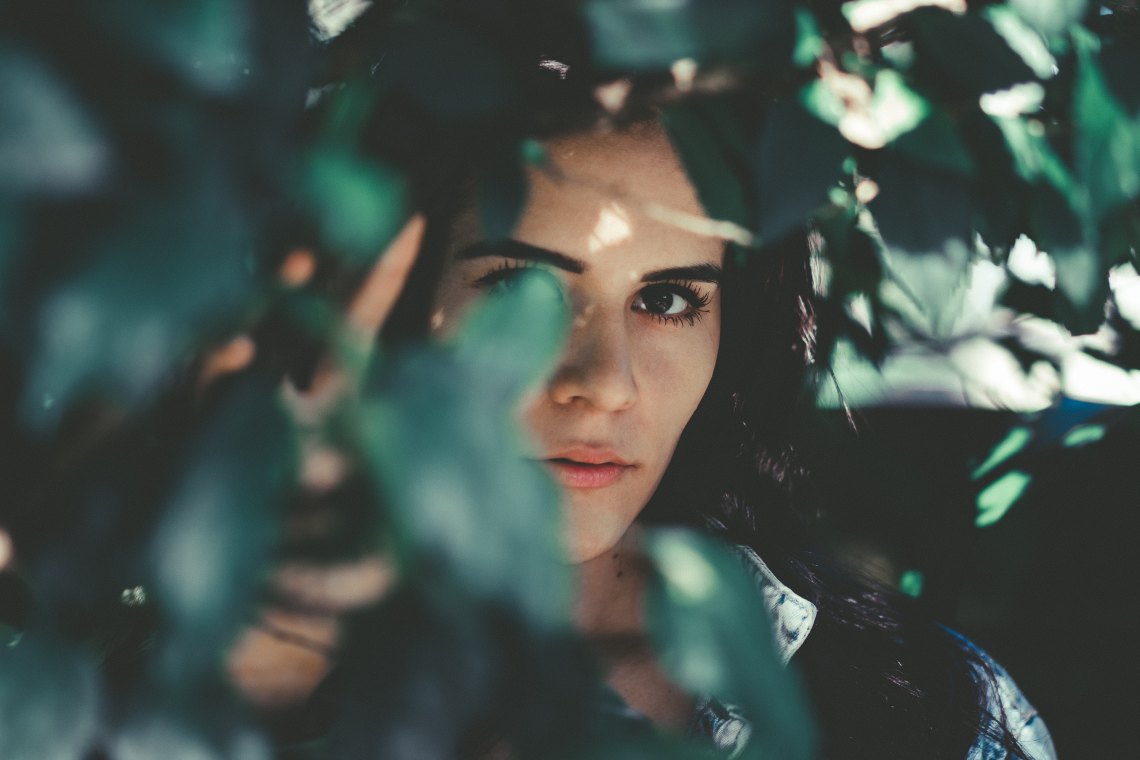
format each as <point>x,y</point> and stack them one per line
<point>646,312</point>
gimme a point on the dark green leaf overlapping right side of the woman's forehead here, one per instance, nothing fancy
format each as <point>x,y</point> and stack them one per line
<point>707,159</point>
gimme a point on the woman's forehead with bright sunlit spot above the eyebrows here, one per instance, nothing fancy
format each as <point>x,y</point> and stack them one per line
<point>601,202</point>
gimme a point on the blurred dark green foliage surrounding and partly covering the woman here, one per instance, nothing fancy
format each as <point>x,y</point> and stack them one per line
<point>158,168</point>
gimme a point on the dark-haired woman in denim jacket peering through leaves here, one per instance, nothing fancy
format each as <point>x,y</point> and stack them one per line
<point>673,403</point>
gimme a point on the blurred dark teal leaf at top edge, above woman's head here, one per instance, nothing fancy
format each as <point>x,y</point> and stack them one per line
<point>649,35</point>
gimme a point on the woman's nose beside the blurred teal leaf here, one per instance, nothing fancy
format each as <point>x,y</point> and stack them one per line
<point>597,369</point>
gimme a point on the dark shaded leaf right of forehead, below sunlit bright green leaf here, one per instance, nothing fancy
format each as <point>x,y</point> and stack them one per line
<point>799,160</point>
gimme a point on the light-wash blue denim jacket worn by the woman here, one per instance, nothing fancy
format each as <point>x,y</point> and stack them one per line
<point>793,618</point>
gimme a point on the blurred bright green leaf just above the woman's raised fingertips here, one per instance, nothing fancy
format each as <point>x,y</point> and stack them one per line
<point>360,205</point>
